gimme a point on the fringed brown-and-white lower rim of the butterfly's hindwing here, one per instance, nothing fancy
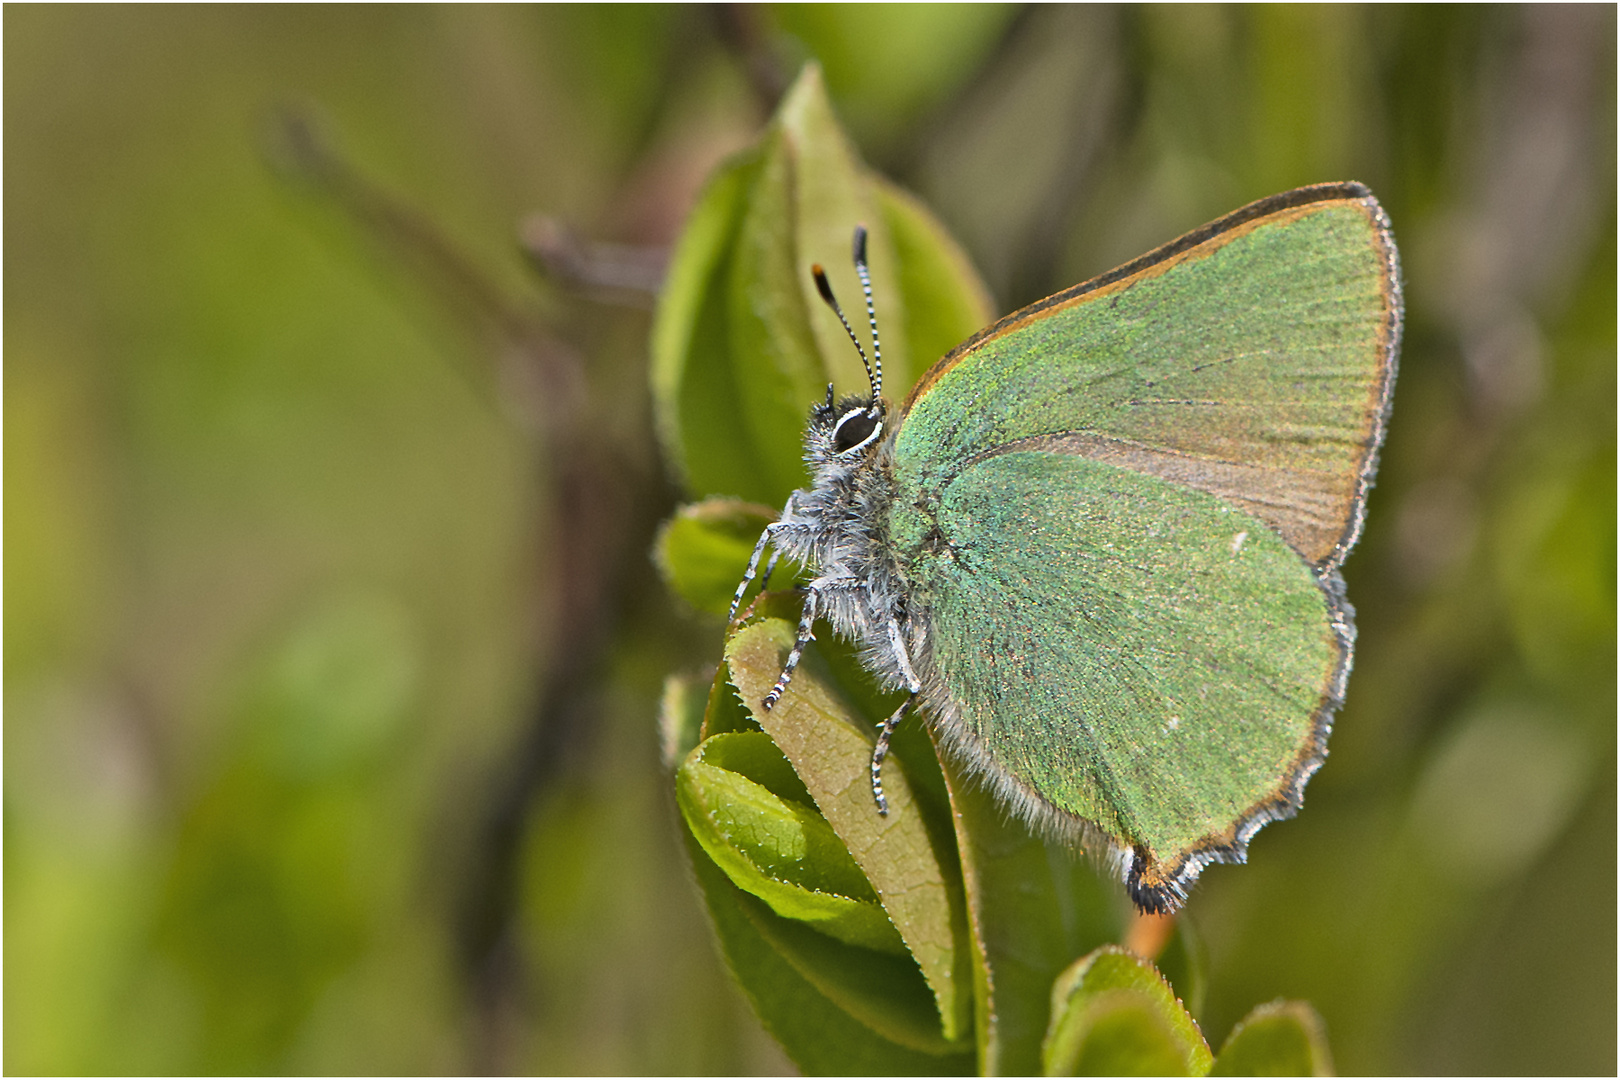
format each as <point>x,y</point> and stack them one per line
<point>1157,888</point>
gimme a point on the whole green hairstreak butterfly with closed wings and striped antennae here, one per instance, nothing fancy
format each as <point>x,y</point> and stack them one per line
<point>1099,543</point>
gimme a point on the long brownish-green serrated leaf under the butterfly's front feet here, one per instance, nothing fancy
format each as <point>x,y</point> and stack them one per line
<point>832,752</point>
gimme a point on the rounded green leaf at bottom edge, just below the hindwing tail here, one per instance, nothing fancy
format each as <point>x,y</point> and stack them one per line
<point>1114,1014</point>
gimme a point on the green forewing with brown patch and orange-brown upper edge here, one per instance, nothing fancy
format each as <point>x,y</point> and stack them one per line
<point>1255,365</point>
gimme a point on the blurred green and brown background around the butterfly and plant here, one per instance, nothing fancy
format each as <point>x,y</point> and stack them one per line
<point>333,648</point>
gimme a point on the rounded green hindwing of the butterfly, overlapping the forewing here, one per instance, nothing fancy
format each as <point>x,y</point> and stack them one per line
<point>1172,657</point>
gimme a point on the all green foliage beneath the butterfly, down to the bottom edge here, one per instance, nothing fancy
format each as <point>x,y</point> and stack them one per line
<point>843,1000</point>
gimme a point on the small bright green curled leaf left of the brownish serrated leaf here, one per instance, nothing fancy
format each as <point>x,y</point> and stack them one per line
<point>777,849</point>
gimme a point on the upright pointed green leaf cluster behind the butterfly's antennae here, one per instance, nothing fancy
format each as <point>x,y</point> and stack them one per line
<point>743,346</point>
